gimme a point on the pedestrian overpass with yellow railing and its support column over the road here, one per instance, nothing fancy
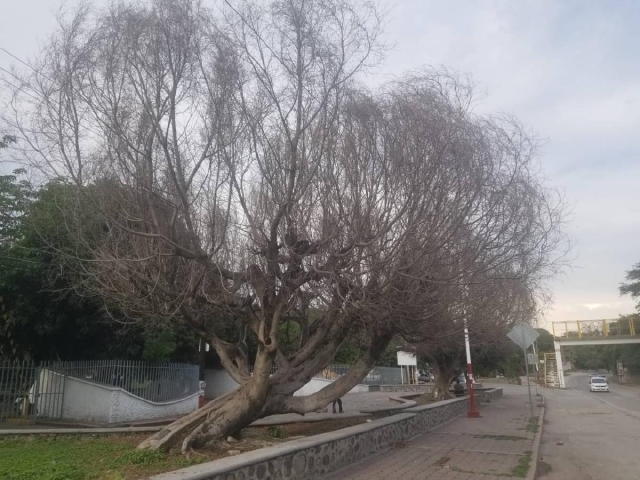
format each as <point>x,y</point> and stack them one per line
<point>617,331</point>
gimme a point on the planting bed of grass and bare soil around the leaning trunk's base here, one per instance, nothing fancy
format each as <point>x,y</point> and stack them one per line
<point>114,457</point>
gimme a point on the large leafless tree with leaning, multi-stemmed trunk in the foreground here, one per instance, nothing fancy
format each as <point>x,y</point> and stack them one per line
<point>241,174</point>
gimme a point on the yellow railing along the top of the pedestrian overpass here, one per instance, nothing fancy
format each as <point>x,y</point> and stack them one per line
<point>594,329</point>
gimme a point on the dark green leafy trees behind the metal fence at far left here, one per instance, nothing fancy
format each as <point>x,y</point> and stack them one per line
<point>42,317</point>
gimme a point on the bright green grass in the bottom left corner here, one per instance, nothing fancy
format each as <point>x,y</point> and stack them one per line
<point>103,458</point>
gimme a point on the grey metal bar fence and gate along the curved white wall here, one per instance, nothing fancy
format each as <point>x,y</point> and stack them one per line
<point>29,390</point>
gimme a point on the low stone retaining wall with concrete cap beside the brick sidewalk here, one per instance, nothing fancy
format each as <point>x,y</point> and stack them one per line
<point>321,454</point>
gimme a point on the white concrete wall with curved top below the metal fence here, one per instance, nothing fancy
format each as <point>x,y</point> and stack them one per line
<point>100,403</point>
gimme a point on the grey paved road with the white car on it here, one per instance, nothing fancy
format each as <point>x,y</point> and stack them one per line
<point>600,433</point>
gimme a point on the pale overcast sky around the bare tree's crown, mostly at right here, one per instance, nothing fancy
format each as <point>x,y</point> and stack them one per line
<point>570,70</point>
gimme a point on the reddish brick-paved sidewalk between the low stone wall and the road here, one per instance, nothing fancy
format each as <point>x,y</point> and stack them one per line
<point>496,445</point>
